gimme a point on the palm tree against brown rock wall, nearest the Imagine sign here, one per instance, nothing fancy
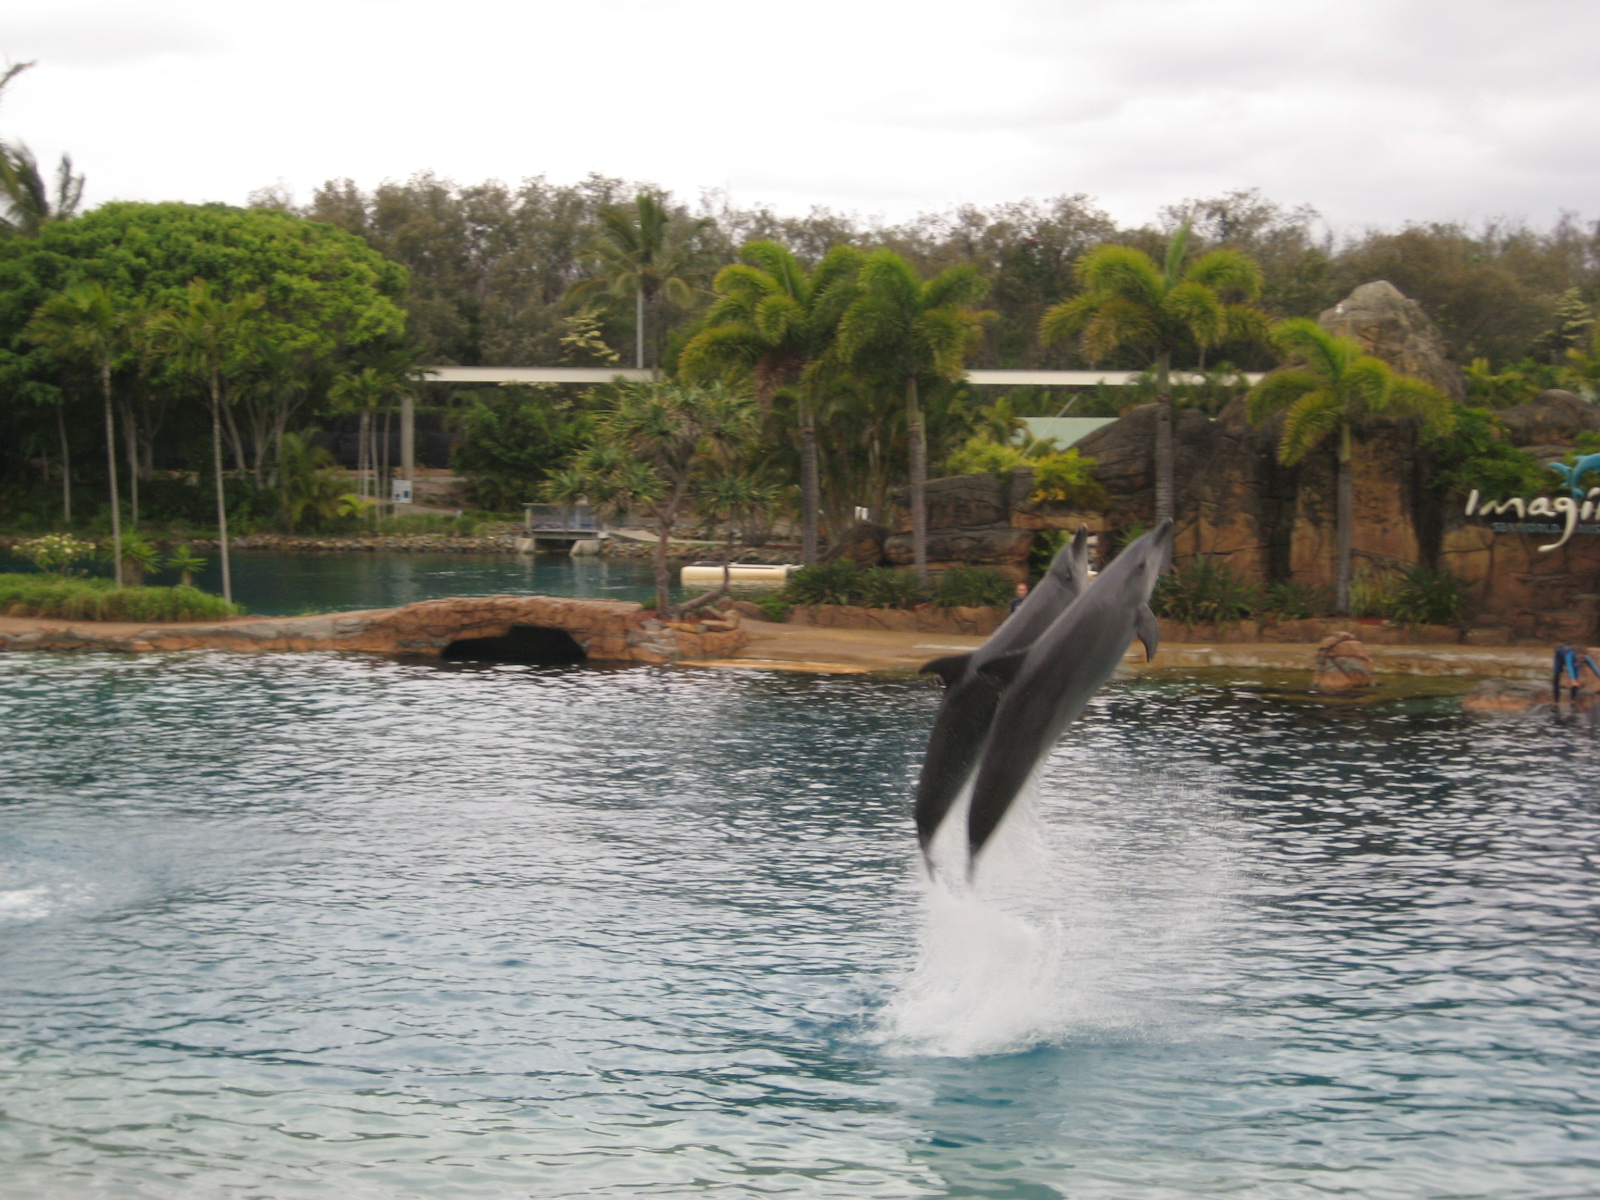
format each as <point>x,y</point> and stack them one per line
<point>1327,391</point>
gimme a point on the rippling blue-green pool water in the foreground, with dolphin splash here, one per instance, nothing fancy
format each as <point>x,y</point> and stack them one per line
<point>316,926</point>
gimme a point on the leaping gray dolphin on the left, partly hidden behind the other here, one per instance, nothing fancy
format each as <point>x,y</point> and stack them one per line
<point>970,697</point>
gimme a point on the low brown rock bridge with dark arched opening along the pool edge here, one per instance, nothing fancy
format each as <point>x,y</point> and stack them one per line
<point>505,628</point>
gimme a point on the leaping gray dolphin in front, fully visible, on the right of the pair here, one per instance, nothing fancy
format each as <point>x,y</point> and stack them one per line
<point>1054,681</point>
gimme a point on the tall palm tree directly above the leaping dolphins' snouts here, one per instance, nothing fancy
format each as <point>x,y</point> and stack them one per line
<point>1129,302</point>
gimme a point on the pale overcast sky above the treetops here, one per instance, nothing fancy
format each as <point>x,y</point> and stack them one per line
<point>1372,111</point>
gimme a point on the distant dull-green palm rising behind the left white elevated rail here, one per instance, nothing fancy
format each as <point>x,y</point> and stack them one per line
<point>644,250</point>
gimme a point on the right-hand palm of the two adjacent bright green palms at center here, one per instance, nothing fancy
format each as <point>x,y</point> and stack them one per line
<point>900,329</point>
